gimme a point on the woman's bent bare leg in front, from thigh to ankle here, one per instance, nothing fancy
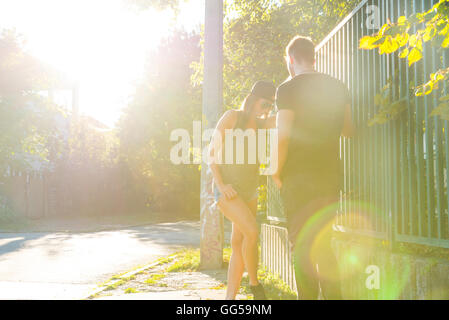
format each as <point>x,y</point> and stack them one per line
<point>238,212</point>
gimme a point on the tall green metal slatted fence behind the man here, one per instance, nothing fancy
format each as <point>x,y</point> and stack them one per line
<point>394,174</point>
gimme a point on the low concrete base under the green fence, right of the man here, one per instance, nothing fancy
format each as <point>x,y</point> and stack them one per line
<point>373,272</point>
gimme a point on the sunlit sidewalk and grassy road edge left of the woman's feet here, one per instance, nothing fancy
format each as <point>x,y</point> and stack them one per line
<point>171,278</point>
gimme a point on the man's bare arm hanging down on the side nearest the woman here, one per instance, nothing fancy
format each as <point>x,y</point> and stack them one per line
<point>284,124</point>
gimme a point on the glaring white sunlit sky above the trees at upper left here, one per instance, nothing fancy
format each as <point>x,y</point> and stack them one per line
<point>100,43</point>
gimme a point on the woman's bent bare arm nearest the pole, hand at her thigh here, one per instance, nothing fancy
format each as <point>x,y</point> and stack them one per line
<point>227,121</point>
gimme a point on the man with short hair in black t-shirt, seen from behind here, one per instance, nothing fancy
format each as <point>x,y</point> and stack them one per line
<point>313,112</point>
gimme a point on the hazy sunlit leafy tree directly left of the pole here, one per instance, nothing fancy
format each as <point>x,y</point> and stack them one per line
<point>164,101</point>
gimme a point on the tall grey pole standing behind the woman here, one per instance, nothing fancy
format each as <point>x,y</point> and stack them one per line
<point>211,246</point>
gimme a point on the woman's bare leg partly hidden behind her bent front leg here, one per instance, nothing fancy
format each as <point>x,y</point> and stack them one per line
<point>236,263</point>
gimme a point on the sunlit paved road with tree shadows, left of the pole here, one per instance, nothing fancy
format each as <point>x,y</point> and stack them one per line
<point>70,265</point>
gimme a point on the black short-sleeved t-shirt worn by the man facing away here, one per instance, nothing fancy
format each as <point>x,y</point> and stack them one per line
<point>318,101</point>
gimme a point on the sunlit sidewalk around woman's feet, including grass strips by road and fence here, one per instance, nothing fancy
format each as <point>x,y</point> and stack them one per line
<point>177,277</point>
